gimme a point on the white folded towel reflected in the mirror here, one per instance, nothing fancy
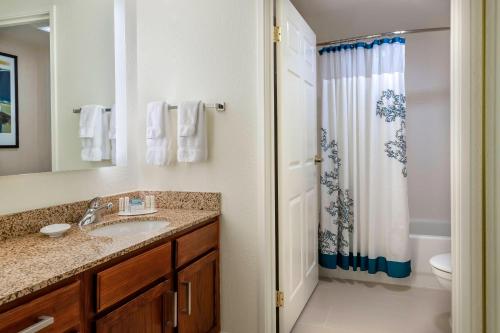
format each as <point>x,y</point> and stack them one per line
<point>92,133</point>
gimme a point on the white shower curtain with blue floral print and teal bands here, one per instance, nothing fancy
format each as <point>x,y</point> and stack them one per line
<point>364,200</point>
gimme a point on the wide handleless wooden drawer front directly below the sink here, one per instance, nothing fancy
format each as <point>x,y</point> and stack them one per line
<point>125,278</point>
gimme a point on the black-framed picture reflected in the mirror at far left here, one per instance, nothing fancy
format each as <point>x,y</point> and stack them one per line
<point>9,112</point>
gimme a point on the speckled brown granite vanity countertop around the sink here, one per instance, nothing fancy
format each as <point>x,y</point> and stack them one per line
<point>31,262</point>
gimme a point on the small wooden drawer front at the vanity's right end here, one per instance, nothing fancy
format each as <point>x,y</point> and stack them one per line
<point>197,243</point>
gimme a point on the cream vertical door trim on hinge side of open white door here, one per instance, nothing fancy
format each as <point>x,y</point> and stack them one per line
<point>266,173</point>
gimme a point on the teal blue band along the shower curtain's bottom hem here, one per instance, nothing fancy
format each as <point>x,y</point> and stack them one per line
<point>393,269</point>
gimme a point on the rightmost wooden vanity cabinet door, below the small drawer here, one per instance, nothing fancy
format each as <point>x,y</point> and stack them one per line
<point>198,289</point>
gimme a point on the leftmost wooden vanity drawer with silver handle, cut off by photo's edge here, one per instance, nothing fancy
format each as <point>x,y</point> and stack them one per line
<point>59,310</point>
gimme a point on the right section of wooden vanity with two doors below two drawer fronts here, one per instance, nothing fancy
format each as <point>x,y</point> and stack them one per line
<point>172,287</point>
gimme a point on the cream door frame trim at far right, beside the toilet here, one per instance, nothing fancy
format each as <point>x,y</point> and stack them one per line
<point>466,164</point>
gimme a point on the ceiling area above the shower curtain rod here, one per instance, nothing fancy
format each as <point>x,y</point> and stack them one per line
<point>336,19</point>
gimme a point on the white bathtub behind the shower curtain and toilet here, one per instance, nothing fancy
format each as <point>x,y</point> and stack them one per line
<point>427,238</point>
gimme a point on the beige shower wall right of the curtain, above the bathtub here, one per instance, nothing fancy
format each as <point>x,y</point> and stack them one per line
<point>428,136</point>
